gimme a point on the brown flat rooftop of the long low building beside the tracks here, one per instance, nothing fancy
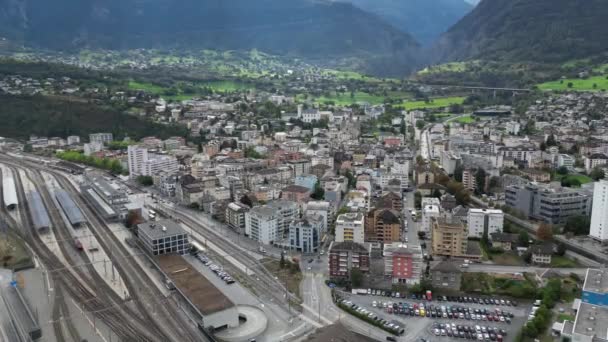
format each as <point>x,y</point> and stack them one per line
<point>193,285</point>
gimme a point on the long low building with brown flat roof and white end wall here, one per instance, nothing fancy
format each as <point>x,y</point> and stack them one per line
<point>215,309</point>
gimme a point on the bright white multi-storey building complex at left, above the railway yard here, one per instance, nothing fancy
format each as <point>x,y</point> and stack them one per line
<point>143,163</point>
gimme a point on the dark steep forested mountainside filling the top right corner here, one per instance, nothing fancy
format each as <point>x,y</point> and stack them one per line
<point>544,31</point>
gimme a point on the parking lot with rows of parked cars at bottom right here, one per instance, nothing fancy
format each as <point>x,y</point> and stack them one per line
<point>475,319</point>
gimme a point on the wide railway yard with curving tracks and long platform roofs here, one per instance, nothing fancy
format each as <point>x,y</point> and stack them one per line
<point>94,282</point>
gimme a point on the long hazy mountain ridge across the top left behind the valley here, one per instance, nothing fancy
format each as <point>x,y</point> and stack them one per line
<point>307,28</point>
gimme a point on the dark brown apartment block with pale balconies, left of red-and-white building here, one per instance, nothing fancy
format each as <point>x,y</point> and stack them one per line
<point>344,256</point>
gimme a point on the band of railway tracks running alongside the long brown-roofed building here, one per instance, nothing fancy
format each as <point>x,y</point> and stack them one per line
<point>160,317</point>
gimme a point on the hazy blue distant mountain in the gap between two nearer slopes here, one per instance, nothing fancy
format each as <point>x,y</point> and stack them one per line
<point>426,20</point>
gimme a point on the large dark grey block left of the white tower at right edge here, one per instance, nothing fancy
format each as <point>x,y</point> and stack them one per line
<point>552,204</point>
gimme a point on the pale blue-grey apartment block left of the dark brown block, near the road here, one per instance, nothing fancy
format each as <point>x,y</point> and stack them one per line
<point>304,234</point>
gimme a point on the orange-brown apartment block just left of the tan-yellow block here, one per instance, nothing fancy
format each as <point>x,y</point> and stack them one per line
<point>383,225</point>
